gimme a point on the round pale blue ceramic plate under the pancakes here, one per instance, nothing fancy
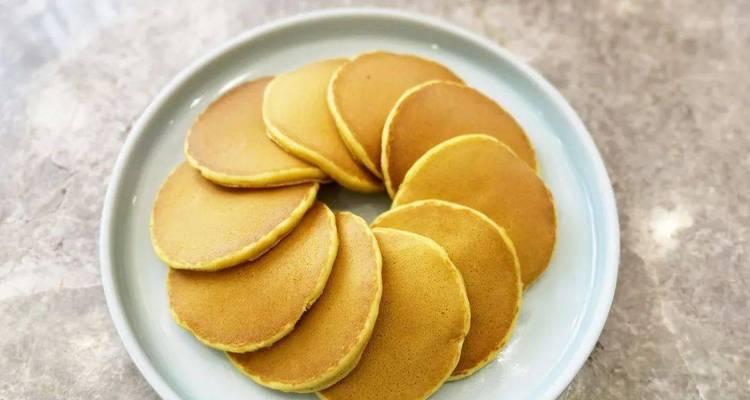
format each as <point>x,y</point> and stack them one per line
<point>562,314</point>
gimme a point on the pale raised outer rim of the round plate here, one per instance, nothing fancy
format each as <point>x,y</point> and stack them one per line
<point>610,218</point>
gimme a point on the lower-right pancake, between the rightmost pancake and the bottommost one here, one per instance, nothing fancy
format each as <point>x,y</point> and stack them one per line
<point>484,254</point>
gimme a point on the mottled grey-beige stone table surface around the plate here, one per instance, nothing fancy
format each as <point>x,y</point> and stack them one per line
<point>662,86</point>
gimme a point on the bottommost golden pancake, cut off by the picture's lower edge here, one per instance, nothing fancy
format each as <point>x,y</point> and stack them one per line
<point>424,318</point>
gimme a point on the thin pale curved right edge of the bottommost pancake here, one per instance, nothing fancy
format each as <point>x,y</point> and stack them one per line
<point>458,343</point>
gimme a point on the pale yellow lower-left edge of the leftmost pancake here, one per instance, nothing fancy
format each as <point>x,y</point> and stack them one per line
<point>247,253</point>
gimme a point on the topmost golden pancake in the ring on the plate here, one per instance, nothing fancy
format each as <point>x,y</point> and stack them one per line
<point>364,90</point>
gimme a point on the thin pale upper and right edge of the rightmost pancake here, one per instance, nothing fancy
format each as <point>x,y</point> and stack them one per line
<point>397,201</point>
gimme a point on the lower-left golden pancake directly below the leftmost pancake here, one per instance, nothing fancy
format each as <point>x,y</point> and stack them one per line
<point>257,303</point>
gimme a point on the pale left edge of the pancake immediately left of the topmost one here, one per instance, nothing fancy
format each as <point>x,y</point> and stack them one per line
<point>345,179</point>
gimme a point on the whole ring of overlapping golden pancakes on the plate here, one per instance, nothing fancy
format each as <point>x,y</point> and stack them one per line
<point>303,299</point>
